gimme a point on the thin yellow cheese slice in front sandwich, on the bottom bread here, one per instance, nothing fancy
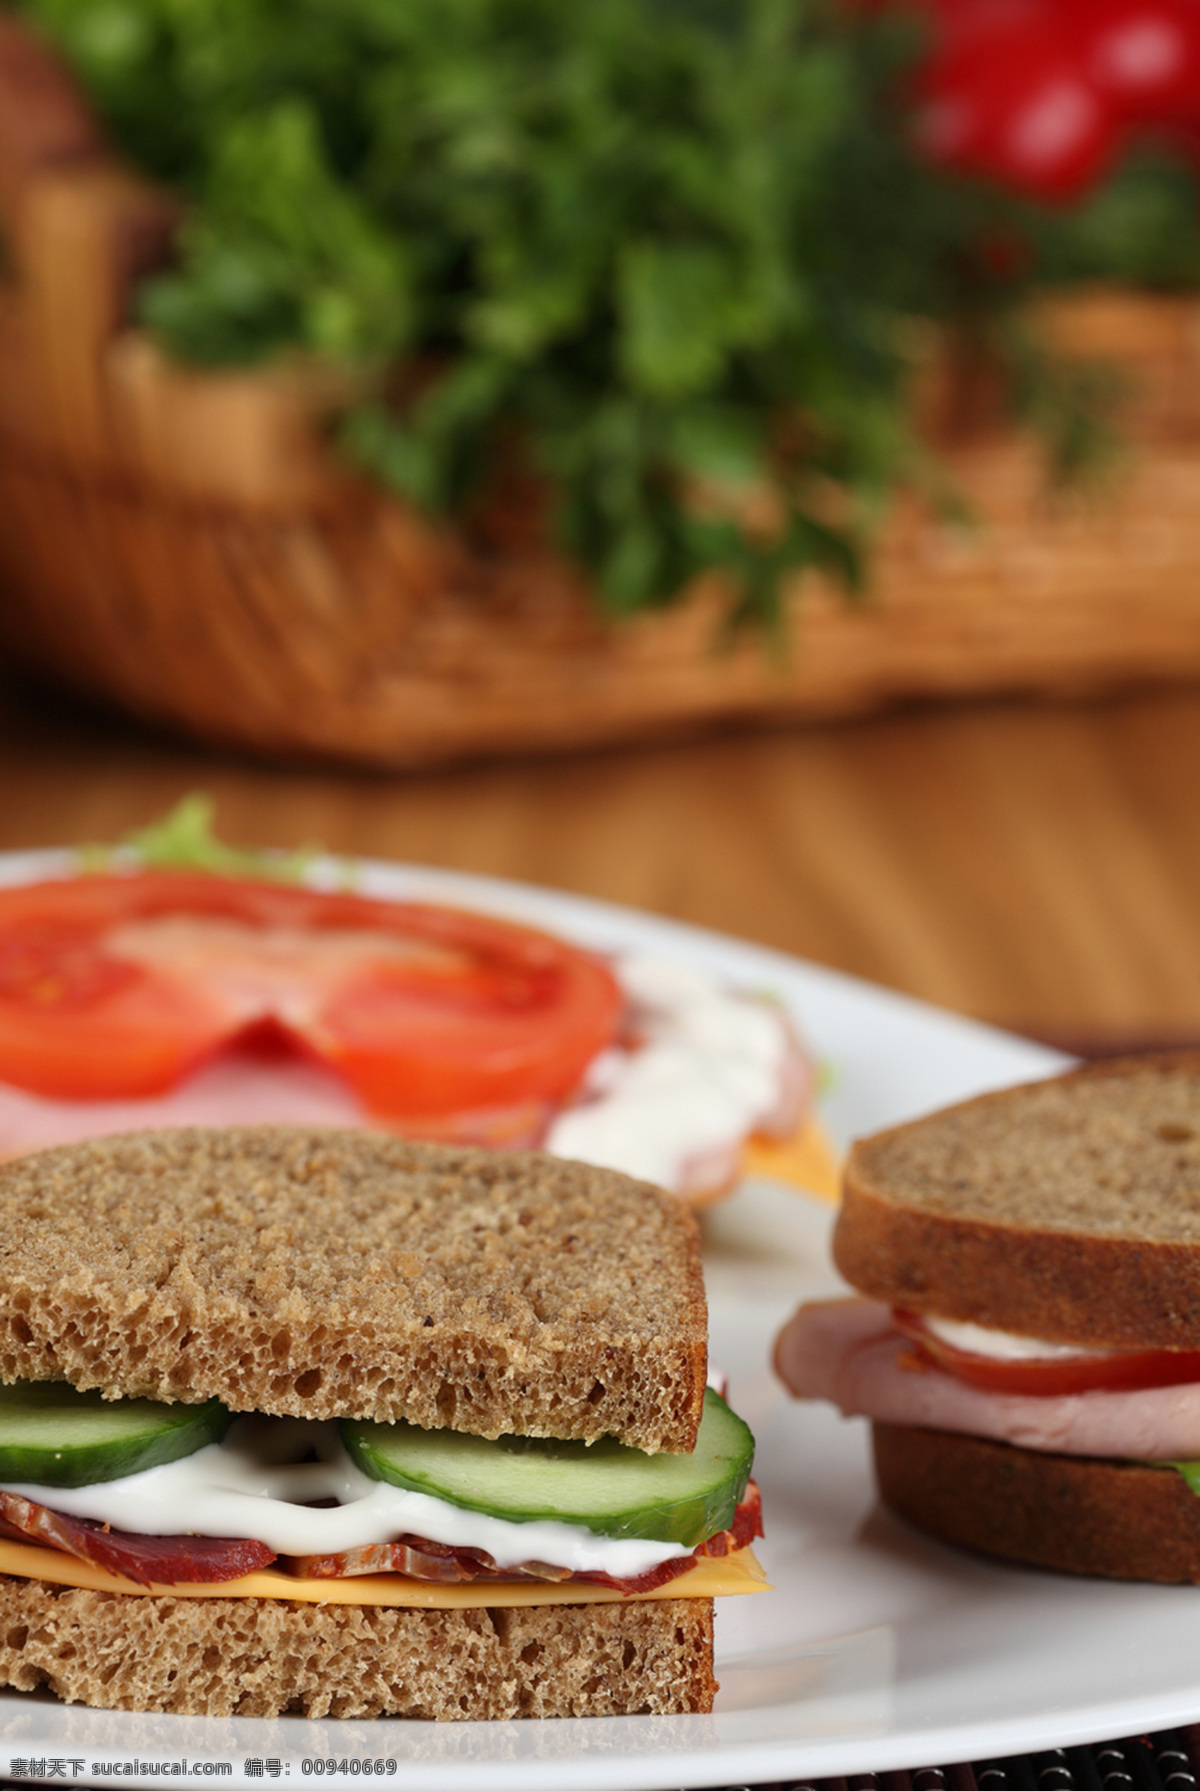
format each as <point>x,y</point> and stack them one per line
<point>708,1579</point>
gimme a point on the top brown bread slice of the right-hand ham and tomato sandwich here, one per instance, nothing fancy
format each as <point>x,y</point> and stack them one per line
<point>1065,1210</point>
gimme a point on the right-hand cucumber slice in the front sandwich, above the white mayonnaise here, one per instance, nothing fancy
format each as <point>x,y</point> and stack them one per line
<point>606,1487</point>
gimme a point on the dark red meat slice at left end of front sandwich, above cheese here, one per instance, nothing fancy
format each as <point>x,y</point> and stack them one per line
<point>146,1561</point>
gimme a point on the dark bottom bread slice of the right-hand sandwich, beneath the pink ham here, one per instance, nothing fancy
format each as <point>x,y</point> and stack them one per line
<point>1077,1514</point>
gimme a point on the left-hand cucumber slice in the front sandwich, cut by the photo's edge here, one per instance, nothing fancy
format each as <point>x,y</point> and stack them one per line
<point>53,1435</point>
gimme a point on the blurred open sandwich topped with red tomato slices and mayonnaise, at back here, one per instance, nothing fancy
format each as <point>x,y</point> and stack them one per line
<point>189,984</point>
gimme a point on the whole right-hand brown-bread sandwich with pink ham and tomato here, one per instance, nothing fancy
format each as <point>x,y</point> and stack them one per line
<point>1027,1335</point>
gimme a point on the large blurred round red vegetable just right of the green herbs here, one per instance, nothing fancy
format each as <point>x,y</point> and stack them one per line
<point>1007,99</point>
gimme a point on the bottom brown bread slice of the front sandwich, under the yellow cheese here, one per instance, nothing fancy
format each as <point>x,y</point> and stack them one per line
<point>271,1658</point>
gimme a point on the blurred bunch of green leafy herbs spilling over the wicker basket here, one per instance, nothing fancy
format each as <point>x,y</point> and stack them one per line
<point>664,255</point>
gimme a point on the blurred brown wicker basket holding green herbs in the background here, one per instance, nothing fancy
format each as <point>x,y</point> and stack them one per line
<point>187,545</point>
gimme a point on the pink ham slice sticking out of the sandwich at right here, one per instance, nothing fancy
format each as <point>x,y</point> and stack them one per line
<point>850,1353</point>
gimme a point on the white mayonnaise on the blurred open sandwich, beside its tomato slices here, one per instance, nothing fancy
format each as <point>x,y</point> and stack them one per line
<point>710,1068</point>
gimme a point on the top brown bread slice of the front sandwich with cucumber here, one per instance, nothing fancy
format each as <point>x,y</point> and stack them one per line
<point>347,1274</point>
